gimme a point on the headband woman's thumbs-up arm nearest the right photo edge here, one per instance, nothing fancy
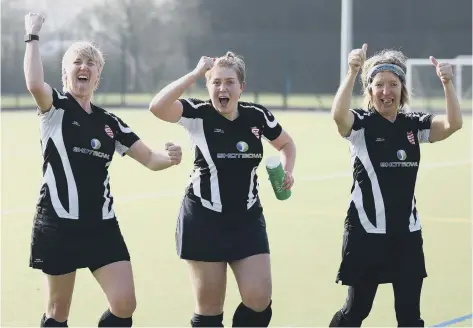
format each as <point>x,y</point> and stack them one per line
<point>444,126</point>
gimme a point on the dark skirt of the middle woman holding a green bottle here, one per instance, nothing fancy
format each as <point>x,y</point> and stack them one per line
<point>209,236</point>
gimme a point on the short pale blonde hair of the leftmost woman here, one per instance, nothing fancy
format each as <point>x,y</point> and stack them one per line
<point>82,49</point>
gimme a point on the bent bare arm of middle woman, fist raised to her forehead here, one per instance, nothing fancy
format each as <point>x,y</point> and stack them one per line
<point>165,105</point>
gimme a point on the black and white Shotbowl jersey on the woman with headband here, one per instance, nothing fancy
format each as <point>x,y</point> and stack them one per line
<point>385,157</point>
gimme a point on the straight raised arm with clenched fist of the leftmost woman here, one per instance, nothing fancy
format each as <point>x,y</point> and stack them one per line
<point>33,67</point>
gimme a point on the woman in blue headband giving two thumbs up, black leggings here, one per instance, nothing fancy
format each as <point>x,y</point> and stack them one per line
<point>382,240</point>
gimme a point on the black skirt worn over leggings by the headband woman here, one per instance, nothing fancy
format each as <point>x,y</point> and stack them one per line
<point>381,258</point>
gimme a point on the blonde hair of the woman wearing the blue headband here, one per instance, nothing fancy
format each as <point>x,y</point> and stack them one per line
<point>386,56</point>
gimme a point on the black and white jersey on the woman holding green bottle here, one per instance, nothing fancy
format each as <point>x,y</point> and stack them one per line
<point>227,153</point>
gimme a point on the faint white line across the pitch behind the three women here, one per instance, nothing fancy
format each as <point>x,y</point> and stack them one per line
<point>338,175</point>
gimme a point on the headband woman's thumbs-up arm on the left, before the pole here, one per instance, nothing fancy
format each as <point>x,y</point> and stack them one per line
<point>341,102</point>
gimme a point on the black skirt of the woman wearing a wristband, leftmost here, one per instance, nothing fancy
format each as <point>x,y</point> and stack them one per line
<point>58,249</point>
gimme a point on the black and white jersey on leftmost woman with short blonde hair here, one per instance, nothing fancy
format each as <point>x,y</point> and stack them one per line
<point>77,151</point>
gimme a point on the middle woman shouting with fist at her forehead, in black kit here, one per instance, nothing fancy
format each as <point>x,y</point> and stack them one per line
<point>221,219</point>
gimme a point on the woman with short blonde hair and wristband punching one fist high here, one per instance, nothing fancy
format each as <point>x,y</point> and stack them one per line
<point>75,225</point>
